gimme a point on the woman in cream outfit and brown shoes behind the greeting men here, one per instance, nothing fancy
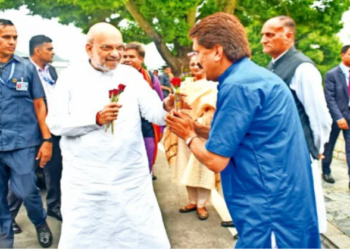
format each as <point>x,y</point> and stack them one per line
<point>187,170</point>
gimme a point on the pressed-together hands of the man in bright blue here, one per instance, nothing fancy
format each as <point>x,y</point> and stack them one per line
<point>181,124</point>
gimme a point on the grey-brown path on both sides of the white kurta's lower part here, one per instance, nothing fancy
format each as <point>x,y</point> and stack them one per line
<point>184,230</point>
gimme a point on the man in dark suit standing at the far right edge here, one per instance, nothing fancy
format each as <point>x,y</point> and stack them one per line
<point>337,90</point>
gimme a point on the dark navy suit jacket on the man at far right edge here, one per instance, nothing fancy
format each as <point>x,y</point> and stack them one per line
<point>337,97</point>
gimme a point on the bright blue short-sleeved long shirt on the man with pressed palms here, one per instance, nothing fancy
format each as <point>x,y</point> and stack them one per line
<point>267,184</point>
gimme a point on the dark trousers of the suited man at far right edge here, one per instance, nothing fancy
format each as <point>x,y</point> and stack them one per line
<point>328,151</point>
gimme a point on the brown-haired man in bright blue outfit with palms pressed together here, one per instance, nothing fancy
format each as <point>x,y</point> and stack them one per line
<point>255,141</point>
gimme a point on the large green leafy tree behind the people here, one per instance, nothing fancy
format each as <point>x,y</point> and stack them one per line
<point>167,22</point>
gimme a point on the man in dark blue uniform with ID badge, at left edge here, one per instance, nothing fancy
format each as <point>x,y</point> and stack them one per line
<point>22,112</point>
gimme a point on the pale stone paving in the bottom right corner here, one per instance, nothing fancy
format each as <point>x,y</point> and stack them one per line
<point>337,197</point>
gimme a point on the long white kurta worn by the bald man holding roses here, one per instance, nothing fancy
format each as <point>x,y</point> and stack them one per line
<point>107,193</point>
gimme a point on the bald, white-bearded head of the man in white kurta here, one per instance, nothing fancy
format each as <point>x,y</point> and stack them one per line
<point>104,46</point>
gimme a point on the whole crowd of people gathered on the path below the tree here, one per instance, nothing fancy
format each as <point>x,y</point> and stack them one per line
<point>262,129</point>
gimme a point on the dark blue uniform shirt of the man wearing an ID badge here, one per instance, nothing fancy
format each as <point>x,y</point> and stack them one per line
<point>18,122</point>
